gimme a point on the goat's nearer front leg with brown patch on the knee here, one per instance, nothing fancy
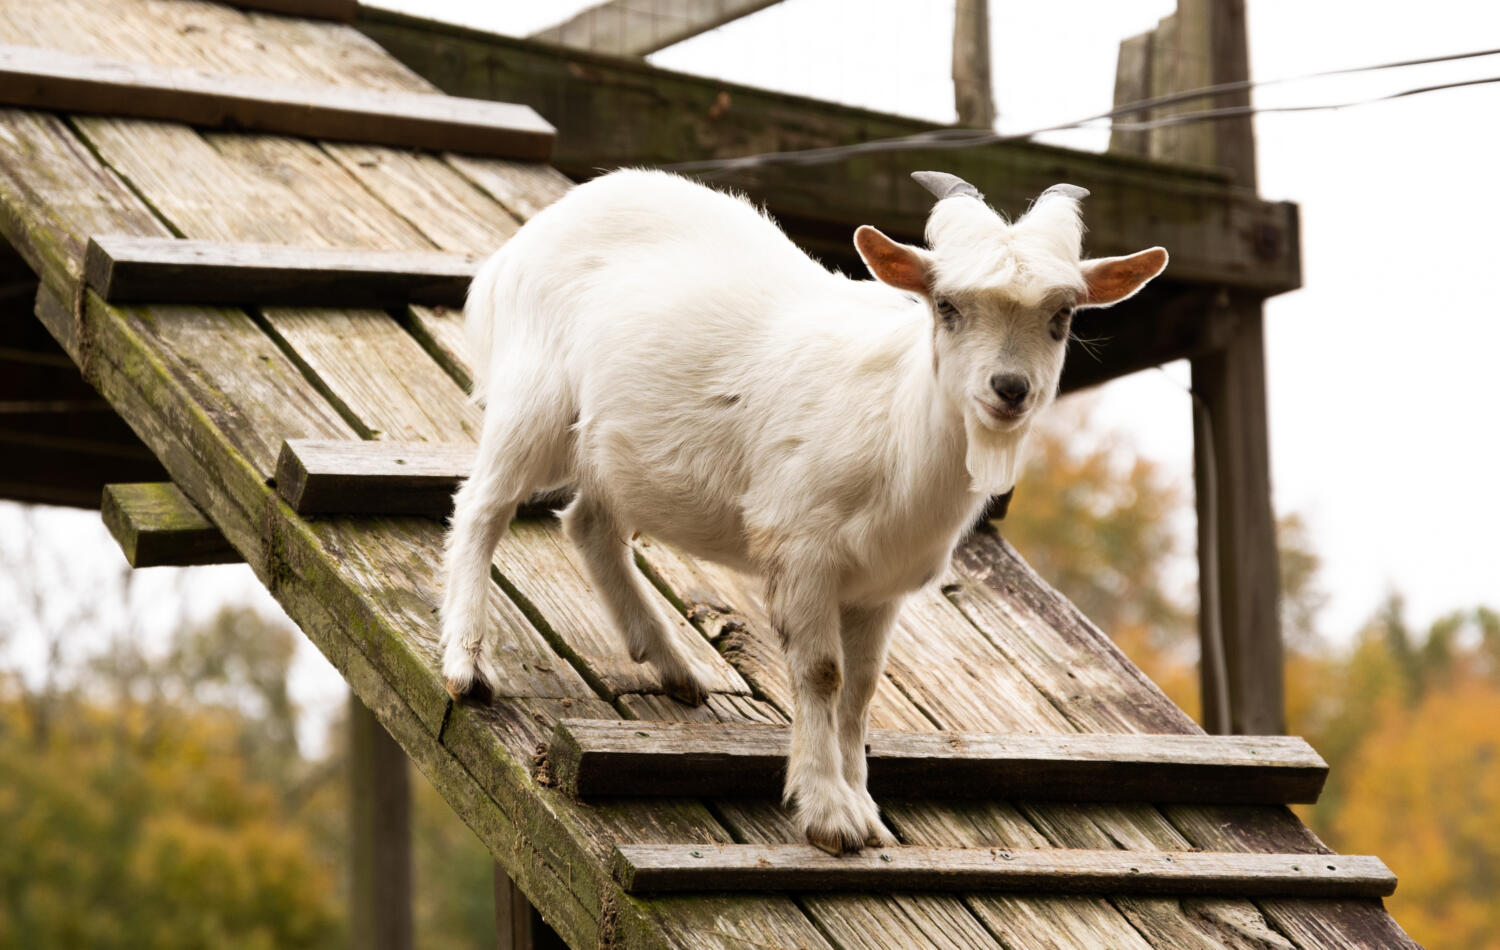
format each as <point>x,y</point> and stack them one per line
<point>806,616</point>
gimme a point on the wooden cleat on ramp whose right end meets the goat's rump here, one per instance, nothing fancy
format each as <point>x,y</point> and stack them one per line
<point>170,271</point>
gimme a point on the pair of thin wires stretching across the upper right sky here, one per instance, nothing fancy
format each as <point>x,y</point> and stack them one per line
<point>965,139</point>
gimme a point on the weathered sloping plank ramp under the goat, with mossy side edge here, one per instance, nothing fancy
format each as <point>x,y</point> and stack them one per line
<point>217,391</point>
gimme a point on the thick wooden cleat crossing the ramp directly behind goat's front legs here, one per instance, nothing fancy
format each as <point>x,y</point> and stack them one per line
<point>683,759</point>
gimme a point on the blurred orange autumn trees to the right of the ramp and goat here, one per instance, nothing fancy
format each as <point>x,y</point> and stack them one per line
<point>1409,720</point>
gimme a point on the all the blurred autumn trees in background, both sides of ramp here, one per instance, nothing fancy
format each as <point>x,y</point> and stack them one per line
<point>161,799</point>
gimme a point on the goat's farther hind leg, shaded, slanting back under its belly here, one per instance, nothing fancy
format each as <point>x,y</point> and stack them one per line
<point>608,561</point>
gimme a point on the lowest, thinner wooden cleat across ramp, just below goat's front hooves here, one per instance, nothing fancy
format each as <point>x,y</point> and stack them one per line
<point>1199,874</point>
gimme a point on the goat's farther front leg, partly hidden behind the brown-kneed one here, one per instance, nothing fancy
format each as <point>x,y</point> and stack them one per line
<point>866,634</point>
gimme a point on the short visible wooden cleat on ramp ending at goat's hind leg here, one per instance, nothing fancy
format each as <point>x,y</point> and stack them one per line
<point>373,478</point>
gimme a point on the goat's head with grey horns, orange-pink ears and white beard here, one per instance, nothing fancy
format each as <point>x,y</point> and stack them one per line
<point>1003,299</point>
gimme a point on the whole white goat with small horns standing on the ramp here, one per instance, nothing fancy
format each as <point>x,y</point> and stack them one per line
<point>665,350</point>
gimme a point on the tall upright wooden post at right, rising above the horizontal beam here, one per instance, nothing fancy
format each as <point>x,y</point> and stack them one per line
<point>1241,673</point>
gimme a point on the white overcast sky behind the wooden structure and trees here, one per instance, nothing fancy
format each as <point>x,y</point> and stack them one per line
<point>1384,388</point>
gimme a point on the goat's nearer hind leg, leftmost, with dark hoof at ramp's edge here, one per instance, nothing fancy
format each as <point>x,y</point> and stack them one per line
<point>524,446</point>
